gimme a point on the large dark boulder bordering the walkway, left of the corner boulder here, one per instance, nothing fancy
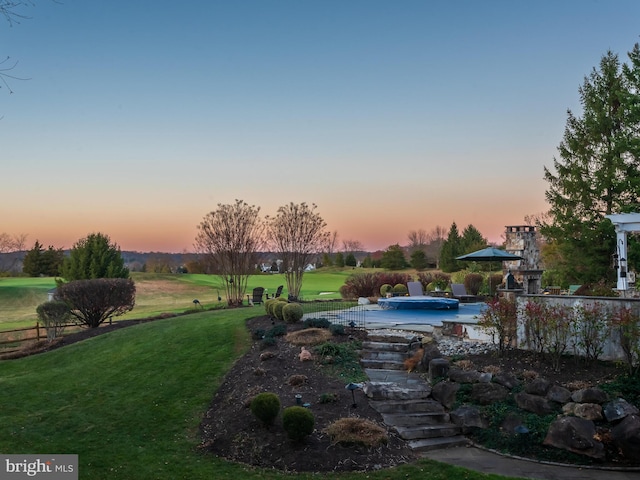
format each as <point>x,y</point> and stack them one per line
<point>575,435</point>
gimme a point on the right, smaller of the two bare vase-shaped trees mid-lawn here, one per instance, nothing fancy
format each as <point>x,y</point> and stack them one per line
<point>297,233</point>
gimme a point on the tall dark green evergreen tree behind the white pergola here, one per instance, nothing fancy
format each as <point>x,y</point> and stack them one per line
<point>597,172</point>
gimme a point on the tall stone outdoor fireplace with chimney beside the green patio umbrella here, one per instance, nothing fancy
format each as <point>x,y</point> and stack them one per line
<point>521,240</point>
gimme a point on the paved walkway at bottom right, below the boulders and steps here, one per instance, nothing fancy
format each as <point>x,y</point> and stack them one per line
<point>488,462</point>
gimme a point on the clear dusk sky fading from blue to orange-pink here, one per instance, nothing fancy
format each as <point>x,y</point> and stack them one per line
<point>138,118</point>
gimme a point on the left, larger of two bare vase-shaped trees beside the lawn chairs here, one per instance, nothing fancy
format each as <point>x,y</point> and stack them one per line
<point>230,238</point>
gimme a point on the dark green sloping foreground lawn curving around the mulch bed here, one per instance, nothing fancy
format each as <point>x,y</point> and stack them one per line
<point>129,403</point>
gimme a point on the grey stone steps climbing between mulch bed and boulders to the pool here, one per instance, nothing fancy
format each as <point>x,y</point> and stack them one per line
<point>403,398</point>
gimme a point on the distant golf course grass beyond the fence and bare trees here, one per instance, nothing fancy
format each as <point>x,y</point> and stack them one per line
<point>158,293</point>
